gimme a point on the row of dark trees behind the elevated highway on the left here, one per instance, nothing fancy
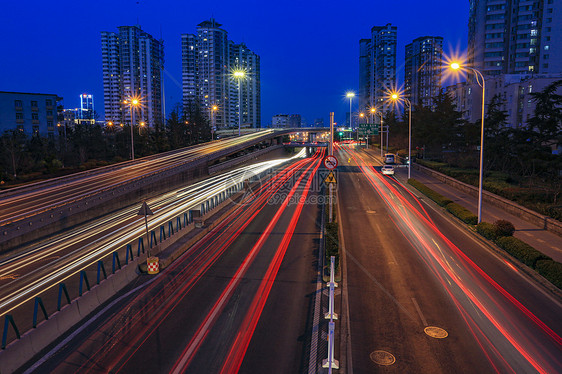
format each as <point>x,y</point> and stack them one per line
<point>25,158</point>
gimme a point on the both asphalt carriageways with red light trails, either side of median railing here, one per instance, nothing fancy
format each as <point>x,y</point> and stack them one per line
<point>419,292</point>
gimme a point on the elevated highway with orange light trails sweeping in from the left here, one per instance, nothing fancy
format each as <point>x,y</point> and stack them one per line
<point>34,211</point>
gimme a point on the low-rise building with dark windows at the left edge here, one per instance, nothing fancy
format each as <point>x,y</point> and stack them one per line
<point>31,113</point>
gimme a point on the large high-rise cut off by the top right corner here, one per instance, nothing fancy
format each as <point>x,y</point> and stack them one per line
<point>515,36</point>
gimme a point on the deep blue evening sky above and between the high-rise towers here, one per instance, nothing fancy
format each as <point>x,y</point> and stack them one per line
<point>309,49</point>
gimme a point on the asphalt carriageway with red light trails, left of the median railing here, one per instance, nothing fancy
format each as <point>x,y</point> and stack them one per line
<point>237,301</point>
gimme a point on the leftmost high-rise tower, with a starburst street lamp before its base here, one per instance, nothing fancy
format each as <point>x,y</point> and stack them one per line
<point>133,61</point>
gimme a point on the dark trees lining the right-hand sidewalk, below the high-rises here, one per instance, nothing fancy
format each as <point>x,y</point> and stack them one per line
<point>522,164</point>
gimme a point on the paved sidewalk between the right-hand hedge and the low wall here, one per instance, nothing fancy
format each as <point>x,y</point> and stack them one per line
<point>544,241</point>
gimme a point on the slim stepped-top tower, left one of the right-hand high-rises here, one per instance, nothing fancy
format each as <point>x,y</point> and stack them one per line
<point>377,67</point>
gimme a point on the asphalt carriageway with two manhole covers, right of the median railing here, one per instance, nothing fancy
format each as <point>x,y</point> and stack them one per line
<point>407,271</point>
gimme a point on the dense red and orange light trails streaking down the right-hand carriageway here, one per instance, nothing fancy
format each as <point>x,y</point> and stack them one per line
<point>473,288</point>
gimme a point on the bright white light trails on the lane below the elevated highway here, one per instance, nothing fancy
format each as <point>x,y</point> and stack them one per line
<point>49,275</point>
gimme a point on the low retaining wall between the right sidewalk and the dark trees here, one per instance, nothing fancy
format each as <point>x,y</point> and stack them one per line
<point>547,223</point>
